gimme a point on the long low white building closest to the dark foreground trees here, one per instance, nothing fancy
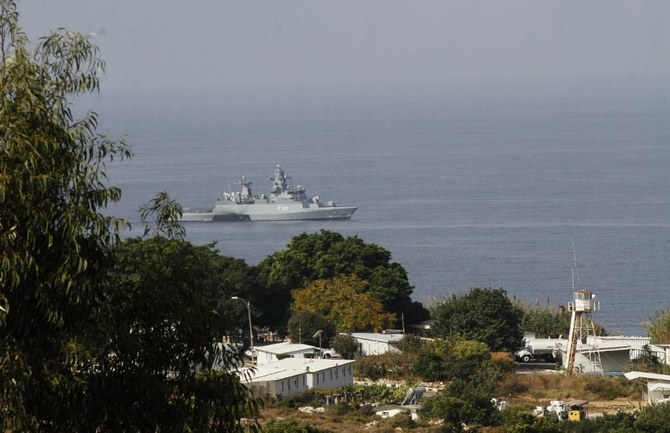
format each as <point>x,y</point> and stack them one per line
<point>297,375</point>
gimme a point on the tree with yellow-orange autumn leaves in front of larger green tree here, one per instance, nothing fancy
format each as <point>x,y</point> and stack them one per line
<point>343,302</point>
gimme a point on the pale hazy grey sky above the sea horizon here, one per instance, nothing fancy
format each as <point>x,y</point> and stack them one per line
<point>150,43</point>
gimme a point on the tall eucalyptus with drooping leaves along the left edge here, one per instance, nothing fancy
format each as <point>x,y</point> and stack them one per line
<point>54,240</point>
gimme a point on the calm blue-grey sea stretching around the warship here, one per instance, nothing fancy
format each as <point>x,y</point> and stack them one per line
<point>467,184</point>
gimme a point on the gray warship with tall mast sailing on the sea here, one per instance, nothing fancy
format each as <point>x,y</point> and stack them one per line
<point>285,203</point>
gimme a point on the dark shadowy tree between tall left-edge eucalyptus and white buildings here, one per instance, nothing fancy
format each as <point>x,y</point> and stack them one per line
<point>160,353</point>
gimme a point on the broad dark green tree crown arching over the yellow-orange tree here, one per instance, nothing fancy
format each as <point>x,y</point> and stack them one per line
<point>326,255</point>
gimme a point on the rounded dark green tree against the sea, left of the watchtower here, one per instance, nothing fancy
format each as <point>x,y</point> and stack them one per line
<point>485,315</point>
